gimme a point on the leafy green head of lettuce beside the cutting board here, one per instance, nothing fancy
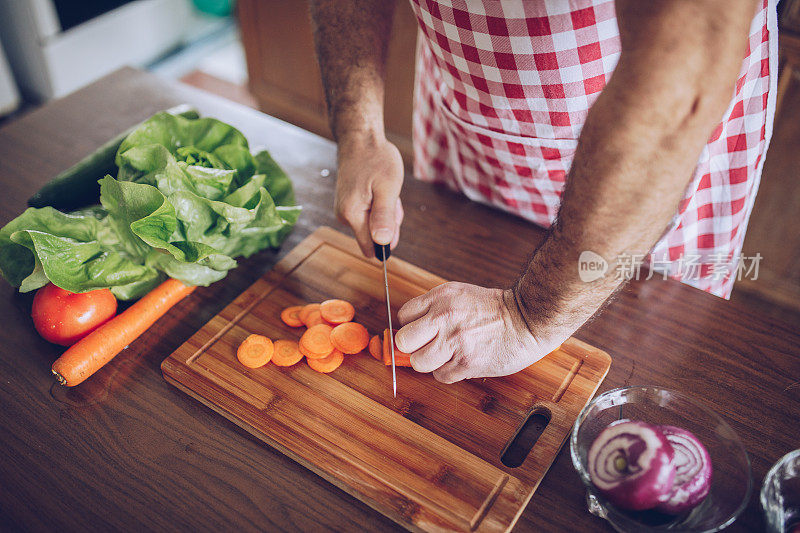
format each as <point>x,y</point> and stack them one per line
<point>189,198</point>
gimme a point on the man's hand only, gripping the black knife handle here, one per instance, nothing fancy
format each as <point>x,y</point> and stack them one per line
<point>368,185</point>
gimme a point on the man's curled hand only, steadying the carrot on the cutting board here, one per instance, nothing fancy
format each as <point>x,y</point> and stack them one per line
<point>459,331</point>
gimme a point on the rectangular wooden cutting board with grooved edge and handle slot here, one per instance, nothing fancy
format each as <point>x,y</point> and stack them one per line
<point>430,459</point>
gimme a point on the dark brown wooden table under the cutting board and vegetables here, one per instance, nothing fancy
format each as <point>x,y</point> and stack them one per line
<point>128,451</point>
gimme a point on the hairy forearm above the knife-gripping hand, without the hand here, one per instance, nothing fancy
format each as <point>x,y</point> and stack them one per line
<point>351,38</point>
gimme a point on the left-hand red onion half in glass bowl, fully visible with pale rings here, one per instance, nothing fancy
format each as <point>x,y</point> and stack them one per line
<point>630,463</point>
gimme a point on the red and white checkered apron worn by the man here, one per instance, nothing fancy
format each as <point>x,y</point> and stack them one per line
<point>502,92</point>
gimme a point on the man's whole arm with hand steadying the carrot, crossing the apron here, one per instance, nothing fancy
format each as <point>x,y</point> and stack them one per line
<point>635,157</point>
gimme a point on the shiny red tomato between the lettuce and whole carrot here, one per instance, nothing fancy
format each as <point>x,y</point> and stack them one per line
<point>64,317</point>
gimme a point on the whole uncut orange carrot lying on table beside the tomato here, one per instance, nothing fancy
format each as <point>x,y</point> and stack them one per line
<point>89,354</point>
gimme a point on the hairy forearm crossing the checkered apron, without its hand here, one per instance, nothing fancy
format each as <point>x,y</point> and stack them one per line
<point>636,153</point>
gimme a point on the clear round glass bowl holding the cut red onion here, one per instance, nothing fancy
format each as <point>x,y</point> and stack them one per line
<point>731,482</point>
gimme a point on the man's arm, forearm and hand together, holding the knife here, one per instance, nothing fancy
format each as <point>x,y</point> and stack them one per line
<point>351,39</point>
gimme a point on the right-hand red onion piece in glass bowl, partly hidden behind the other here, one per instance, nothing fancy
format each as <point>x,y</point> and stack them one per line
<point>692,471</point>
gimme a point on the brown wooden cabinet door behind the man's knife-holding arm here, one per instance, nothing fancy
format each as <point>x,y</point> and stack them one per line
<point>284,74</point>
